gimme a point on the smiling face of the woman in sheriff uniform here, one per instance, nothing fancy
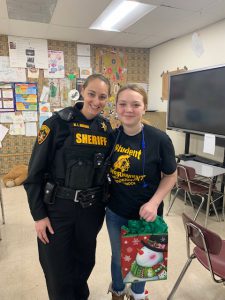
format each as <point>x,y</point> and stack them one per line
<point>95,96</point>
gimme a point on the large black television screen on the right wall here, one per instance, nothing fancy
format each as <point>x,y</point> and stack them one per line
<point>197,101</point>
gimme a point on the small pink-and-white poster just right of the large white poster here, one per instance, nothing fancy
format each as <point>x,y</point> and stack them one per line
<point>56,67</point>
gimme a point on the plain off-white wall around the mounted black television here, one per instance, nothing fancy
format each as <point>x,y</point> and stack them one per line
<point>177,54</point>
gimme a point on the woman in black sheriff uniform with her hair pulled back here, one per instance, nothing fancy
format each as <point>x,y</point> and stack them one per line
<point>65,189</point>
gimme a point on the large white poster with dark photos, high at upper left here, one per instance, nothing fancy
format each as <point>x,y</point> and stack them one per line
<point>28,52</point>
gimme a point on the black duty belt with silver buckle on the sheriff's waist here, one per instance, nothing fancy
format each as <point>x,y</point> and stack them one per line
<point>85,197</point>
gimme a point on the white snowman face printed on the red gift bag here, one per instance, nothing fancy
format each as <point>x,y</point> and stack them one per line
<point>148,258</point>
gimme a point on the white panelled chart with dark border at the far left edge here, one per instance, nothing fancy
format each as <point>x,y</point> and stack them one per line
<point>6,97</point>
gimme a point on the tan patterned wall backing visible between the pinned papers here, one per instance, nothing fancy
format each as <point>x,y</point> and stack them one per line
<point>17,149</point>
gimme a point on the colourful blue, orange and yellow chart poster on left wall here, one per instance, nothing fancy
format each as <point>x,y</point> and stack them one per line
<point>26,96</point>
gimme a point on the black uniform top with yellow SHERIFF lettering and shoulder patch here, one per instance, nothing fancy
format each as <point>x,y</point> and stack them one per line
<point>60,141</point>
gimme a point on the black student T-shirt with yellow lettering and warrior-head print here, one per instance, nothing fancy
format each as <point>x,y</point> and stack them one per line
<point>136,169</point>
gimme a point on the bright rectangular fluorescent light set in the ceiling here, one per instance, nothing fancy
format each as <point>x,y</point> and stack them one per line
<point>121,14</point>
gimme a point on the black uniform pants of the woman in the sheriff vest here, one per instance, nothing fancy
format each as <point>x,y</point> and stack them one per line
<point>69,258</point>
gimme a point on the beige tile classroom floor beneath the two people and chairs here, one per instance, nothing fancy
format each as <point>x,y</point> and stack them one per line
<point>21,277</point>
